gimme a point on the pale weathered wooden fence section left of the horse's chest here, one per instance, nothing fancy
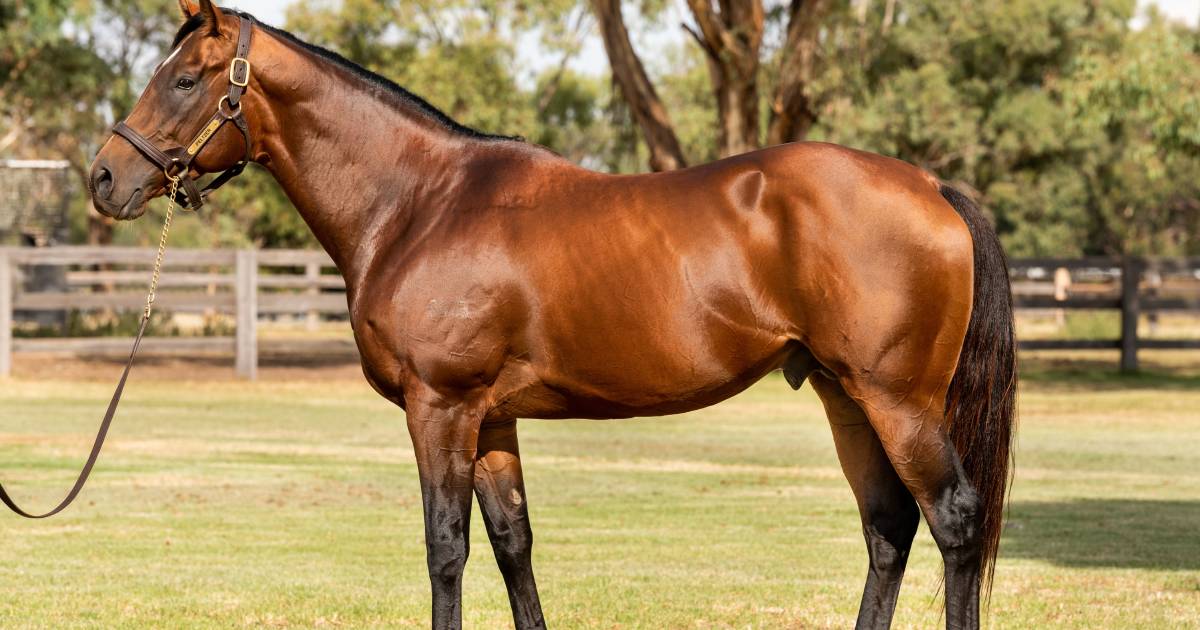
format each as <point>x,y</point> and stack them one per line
<point>245,284</point>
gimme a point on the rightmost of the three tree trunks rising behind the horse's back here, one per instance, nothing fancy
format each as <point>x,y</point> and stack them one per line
<point>793,112</point>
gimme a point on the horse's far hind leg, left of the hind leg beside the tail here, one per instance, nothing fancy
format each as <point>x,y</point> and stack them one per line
<point>887,509</point>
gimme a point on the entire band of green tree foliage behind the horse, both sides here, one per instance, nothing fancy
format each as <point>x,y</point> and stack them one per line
<point>1081,134</point>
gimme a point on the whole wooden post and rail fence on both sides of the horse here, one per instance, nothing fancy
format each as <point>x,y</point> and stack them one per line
<point>249,284</point>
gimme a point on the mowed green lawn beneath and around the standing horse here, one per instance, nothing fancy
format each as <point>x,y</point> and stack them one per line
<point>295,505</point>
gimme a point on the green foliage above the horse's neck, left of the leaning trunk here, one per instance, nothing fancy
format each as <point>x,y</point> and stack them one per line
<point>431,47</point>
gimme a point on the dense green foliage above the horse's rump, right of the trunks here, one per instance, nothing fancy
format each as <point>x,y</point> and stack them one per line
<point>1079,134</point>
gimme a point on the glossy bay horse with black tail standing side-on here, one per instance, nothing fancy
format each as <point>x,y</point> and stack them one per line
<point>490,280</point>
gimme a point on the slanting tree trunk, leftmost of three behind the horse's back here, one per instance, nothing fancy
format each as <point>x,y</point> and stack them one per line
<point>638,91</point>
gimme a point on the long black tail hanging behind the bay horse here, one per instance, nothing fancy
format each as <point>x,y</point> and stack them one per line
<point>981,405</point>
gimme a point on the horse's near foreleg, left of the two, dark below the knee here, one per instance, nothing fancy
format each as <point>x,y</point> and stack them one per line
<point>445,442</point>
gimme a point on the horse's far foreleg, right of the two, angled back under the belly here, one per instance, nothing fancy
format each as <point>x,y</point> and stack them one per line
<point>502,497</point>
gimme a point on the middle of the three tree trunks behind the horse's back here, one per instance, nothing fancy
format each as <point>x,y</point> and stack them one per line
<point>731,38</point>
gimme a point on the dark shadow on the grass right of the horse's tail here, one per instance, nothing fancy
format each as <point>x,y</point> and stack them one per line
<point>1106,533</point>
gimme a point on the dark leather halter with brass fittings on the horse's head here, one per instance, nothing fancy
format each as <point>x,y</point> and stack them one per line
<point>177,163</point>
